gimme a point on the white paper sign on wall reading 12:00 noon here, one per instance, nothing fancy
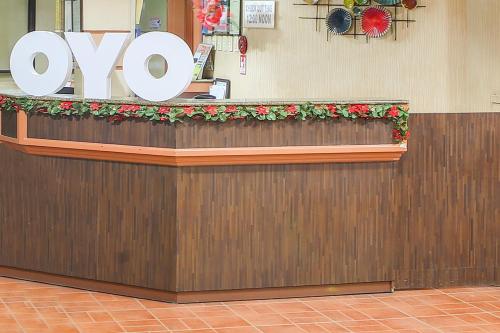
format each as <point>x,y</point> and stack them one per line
<point>259,14</point>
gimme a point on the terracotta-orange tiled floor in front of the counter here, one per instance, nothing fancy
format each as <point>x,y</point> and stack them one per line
<point>33,307</point>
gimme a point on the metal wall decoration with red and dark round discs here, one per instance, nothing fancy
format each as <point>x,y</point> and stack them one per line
<point>367,18</point>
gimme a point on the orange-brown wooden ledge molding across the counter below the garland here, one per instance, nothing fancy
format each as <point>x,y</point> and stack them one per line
<point>200,156</point>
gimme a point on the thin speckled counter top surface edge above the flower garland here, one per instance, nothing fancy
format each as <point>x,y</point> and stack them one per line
<point>181,102</point>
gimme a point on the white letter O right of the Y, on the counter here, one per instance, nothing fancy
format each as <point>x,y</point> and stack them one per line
<point>180,66</point>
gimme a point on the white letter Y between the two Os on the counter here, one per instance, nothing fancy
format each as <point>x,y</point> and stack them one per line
<point>97,63</point>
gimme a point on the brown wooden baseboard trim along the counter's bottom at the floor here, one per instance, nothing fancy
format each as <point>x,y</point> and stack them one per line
<point>199,296</point>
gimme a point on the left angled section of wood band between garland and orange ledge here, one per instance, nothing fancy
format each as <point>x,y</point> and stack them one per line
<point>133,133</point>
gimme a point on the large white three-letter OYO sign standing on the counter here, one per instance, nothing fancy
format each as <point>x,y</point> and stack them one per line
<point>98,62</point>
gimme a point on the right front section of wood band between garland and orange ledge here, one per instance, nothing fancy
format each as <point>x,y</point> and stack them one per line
<point>282,133</point>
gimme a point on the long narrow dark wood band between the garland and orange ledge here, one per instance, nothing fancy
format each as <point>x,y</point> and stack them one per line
<point>212,135</point>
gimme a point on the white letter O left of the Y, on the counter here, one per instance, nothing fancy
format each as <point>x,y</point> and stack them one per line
<point>59,69</point>
